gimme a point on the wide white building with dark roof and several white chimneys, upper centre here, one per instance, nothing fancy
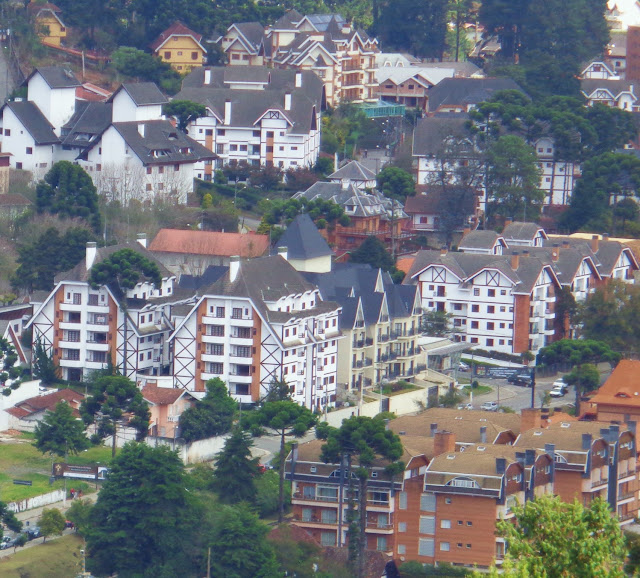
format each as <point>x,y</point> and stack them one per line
<point>256,115</point>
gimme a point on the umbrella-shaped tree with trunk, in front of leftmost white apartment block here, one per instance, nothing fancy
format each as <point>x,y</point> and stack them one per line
<point>122,271</point>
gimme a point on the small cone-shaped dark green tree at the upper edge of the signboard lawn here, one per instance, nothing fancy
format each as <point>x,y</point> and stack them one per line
<point>60,433</point>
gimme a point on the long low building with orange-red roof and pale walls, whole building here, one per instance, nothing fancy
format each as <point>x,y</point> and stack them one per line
<point>192,252</point>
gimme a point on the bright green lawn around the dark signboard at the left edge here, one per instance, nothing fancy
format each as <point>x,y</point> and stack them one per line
<point>24,462</point>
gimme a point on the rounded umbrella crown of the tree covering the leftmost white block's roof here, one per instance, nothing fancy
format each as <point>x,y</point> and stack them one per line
<point>123,270</point>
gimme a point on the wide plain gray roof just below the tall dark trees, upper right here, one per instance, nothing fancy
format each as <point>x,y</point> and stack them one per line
<point>466,91</point>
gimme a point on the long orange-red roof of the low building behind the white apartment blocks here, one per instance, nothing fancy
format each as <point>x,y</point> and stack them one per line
<point>247,245</point>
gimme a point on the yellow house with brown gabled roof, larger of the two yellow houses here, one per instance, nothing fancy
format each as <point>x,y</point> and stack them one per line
<point>180,47</point>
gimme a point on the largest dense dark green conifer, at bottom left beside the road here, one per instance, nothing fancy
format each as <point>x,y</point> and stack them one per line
<point>143,523</point>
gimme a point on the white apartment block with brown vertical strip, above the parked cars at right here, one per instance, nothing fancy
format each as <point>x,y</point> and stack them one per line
<point>501,302</point>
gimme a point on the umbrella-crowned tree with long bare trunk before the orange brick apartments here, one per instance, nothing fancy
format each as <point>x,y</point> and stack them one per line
<point>362,439</point>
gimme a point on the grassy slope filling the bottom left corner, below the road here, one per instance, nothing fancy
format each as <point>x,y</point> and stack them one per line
<point>58,558</point>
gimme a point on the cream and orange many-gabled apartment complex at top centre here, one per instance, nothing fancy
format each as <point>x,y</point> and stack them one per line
<point>343,57</point>
